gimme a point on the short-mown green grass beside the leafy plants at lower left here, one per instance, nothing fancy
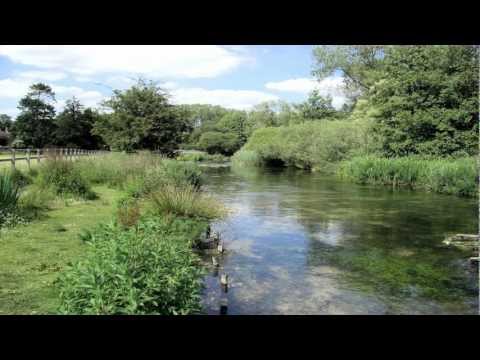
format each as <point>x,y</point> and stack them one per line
<point>32,255</point>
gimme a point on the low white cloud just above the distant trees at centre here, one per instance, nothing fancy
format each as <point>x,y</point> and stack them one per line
<point>235,99</point>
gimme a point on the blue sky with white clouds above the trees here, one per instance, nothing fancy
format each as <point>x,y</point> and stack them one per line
<point>237,77</point>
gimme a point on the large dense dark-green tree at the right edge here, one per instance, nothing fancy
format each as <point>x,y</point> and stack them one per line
<point>428,103</point>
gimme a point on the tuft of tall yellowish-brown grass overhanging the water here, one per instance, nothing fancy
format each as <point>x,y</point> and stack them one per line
<point>185,201</point>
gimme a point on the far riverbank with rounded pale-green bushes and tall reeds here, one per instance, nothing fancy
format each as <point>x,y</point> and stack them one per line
<point>347,150</point>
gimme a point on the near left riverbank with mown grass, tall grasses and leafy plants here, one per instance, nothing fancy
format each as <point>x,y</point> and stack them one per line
<point>117,238</point>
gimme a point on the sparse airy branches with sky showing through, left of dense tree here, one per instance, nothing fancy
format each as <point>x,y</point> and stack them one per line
<point>360,65</point>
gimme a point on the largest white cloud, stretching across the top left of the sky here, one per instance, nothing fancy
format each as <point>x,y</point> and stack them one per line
<point>157,61</point>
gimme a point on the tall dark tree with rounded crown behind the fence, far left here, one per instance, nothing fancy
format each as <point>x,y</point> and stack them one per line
<point>35,124</point>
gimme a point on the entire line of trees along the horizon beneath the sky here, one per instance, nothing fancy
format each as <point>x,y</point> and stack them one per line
<point>421,100</point>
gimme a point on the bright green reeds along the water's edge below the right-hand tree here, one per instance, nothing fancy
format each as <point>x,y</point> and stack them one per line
<point>449,176</point>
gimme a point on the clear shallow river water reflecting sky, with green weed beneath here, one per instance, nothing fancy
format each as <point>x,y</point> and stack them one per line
<point>302,243</point>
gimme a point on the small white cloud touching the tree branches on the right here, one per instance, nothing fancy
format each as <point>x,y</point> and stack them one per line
<point>332,85</point>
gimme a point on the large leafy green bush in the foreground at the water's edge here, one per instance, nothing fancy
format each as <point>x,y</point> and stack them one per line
<point>150,269</point>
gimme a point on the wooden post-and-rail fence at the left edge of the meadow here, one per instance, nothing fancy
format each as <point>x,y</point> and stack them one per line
<point>13,155</point>
